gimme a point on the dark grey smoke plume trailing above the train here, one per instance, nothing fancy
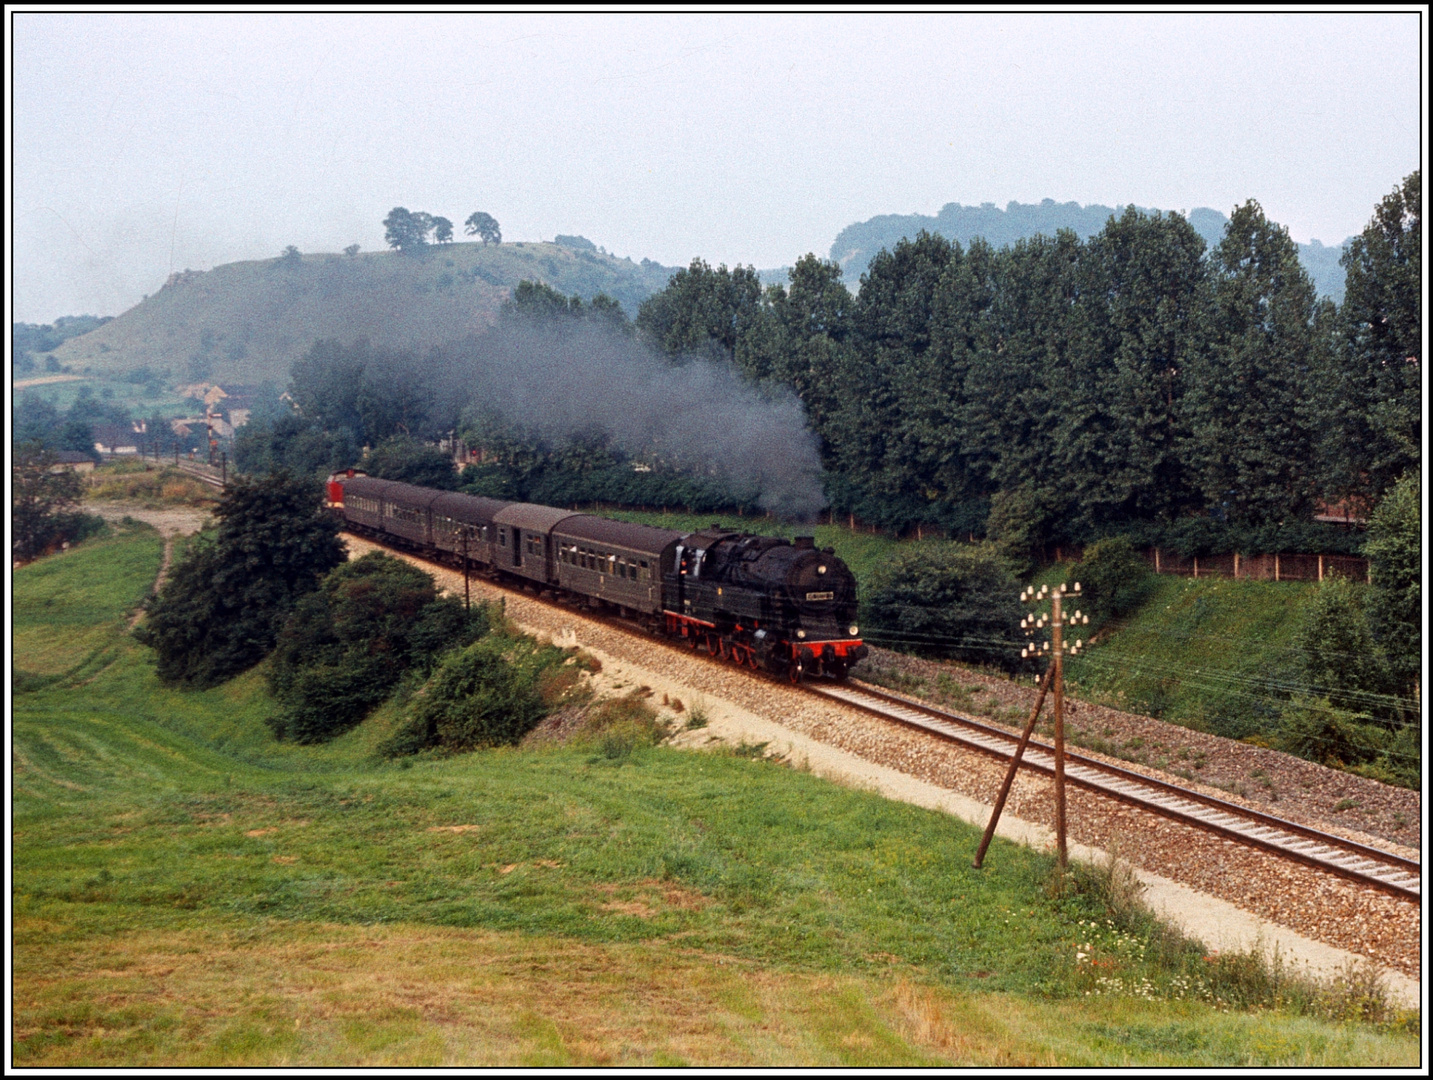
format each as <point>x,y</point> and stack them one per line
<point>699,416</point>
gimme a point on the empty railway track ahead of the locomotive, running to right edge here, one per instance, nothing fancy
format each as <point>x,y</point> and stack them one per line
<point>1245,826</point>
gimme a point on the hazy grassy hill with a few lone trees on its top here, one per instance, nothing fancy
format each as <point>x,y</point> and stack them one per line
<point>249,322</point>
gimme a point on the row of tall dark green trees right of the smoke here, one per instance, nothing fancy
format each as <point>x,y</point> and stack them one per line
<point>1060,390</point>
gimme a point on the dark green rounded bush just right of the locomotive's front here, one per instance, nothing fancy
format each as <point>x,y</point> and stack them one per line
<point>958,602</point>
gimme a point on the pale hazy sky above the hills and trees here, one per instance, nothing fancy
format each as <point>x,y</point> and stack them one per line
<point>154,143</point>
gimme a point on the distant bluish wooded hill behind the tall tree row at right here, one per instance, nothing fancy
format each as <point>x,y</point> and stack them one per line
<point>858,244</point>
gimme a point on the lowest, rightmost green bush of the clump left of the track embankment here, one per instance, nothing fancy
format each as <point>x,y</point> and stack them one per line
<point>487,695</point>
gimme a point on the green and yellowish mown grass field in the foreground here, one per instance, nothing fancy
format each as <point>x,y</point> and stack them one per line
<point>190,893</point>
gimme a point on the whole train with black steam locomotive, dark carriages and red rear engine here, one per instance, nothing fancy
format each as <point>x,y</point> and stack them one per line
<point>773,605</point>
